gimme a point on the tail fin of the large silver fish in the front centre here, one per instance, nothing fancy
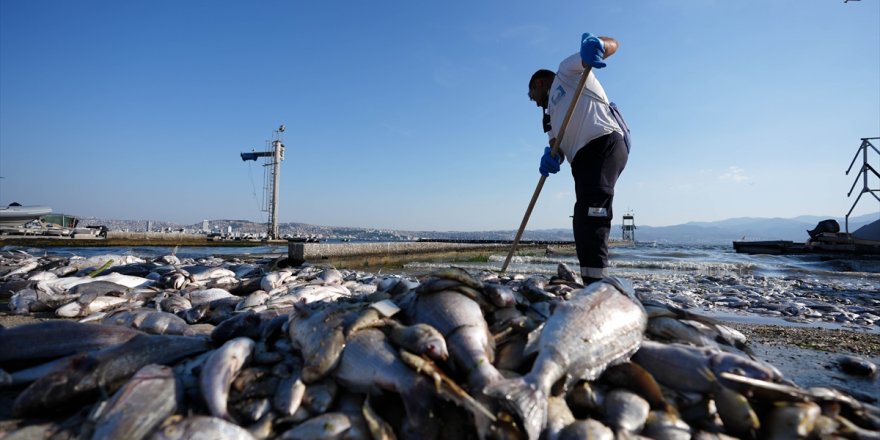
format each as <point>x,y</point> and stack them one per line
<point>523,399</point>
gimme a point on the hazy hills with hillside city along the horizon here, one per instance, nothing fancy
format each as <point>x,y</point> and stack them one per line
<point>717,232</point>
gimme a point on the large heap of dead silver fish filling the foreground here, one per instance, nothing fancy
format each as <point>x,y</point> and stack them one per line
<point>214,349</point>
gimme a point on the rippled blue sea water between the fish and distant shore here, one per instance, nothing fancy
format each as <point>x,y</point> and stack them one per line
<point>640,259</point>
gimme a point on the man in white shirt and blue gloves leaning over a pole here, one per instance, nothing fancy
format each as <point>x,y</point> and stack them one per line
<point>593,144</point>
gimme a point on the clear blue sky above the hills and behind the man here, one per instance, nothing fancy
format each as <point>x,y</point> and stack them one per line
<point>414,115</point>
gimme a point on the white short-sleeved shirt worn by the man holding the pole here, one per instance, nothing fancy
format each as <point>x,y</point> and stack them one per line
<point>591,119</point>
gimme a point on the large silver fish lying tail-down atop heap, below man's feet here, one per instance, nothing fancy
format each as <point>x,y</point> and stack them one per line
<point>600,325</point>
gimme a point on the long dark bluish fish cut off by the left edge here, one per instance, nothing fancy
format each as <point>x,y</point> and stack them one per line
<point>53,339</point>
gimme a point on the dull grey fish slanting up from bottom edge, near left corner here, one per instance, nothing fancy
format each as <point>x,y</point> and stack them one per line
<point>139,406</point>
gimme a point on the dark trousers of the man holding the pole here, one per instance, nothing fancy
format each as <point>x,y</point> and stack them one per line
<point>595,169</point>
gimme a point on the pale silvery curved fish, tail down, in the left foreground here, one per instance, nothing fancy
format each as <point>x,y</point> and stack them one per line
<point>219,370</point>
